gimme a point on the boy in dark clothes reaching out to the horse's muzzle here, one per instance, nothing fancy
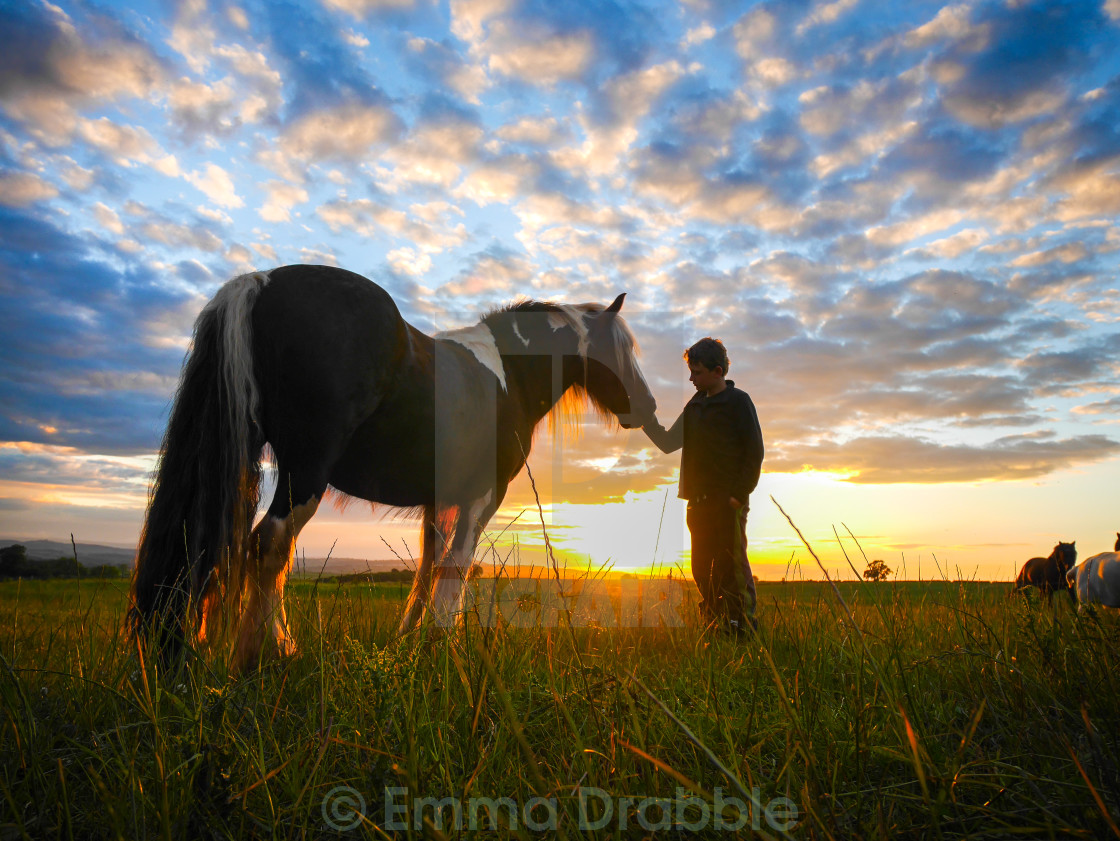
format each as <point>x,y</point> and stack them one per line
<point>721,463</point>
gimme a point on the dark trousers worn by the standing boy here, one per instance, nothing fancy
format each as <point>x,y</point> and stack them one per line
<point>720,560</point>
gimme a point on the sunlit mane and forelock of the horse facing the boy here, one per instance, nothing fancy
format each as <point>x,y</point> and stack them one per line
<point>567,415</point>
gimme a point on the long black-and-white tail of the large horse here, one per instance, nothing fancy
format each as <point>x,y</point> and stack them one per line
<point>206,490</point>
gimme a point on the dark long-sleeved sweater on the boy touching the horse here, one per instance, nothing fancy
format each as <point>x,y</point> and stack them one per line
<point>723,445</point>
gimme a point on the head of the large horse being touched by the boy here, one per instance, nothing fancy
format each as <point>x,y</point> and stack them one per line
<point>613,378</point>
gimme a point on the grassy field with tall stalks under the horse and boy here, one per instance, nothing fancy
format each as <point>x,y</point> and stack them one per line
<point>890,711</point>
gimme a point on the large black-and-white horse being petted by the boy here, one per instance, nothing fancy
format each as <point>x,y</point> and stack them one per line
<point>318,366</point>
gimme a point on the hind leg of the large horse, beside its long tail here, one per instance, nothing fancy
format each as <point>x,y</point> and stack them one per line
<point>264,622</point>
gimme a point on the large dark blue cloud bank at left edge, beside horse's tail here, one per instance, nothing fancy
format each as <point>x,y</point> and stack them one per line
<point>79,372</point>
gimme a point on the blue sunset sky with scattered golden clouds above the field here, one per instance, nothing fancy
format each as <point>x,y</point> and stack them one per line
<point>901,219</point>
